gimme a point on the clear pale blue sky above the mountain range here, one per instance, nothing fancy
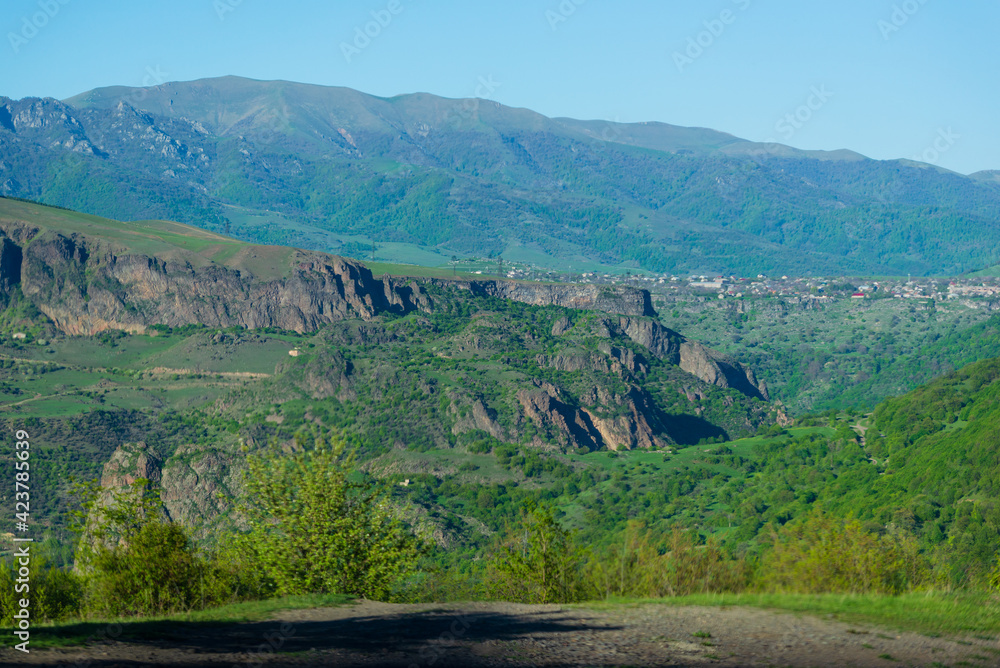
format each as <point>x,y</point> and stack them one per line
<point>887,78</point>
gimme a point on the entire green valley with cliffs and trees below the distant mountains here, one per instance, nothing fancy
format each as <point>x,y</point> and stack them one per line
<point>486,432</point>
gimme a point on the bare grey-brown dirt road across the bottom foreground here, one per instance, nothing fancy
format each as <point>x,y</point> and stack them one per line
<point>502,634</point>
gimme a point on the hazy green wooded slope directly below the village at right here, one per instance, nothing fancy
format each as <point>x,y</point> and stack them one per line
<point>841,353</point>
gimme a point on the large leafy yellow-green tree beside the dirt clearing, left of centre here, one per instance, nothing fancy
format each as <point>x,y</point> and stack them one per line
<point>315,530</point>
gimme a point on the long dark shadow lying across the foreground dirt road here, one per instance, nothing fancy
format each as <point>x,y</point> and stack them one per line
<point>432,638</point>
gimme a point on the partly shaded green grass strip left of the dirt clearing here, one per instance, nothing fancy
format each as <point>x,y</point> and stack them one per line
<point>176,626</point>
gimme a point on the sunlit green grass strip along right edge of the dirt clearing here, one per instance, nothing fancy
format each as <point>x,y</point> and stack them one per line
<point>929,613</point>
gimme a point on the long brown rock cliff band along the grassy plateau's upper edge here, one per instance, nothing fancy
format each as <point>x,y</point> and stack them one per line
<point>86,287</point>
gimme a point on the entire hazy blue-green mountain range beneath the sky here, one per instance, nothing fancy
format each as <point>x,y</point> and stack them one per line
<point>314,166</point>
